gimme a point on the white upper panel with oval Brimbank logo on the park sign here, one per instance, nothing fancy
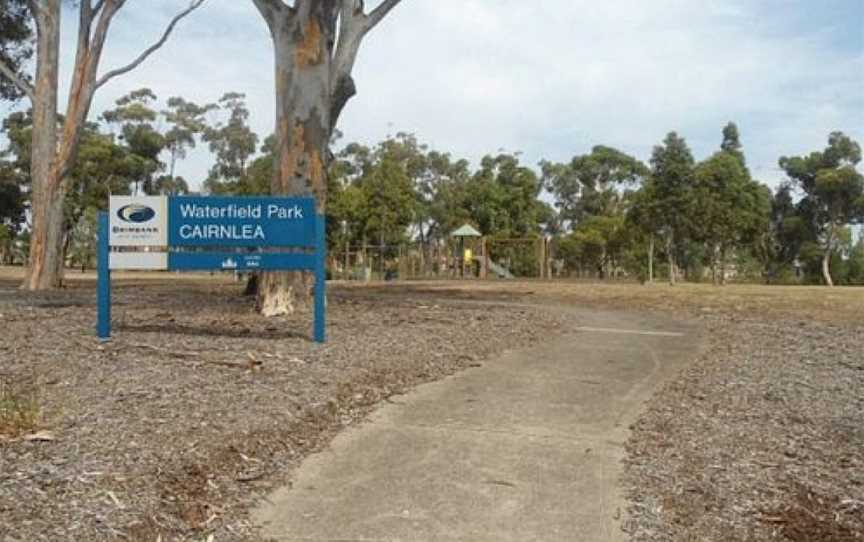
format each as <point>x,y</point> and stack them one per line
<point>138,221</point>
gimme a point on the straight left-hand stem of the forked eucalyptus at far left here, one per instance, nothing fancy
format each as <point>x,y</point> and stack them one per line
<point>47,187</point>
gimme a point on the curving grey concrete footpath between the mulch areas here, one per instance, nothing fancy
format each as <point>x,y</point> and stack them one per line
<point>527,447</point>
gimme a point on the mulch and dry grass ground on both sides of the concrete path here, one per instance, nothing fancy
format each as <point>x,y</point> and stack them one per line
<point>199,406</point>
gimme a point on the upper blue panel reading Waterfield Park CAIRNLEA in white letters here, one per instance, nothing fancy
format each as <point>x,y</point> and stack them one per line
<point>241,222</point>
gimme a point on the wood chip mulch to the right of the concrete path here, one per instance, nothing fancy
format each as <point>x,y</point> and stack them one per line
<point>760,439</point>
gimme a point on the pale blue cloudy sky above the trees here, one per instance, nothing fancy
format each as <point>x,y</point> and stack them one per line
<point>547,78</point>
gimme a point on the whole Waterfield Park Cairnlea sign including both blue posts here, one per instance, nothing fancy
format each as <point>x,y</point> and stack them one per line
<point>218,233</point>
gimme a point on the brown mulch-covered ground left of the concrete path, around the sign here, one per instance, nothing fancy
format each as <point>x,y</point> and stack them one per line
<point>198,406</point>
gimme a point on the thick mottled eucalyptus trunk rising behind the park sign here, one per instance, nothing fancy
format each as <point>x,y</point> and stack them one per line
<point>315,44</point>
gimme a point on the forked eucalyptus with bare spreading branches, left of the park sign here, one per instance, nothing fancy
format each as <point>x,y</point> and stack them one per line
<point>55,146</point>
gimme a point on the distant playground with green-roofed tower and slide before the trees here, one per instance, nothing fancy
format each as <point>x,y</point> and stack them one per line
<point>465,255</point>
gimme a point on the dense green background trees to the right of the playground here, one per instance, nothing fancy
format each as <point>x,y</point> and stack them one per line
<point>712,219</point>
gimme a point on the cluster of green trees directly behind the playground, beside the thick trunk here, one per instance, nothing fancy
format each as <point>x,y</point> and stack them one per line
<point>401,189</point>
